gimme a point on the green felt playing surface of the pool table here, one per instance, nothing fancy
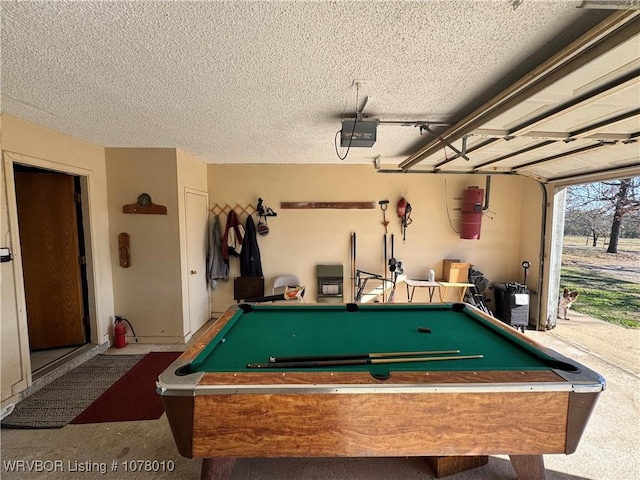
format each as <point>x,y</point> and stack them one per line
<point>332,330</point>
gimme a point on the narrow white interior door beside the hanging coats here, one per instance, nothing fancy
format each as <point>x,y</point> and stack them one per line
<point>197,215</point>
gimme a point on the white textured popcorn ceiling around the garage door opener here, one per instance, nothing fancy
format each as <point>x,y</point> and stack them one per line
<point>269,81</point>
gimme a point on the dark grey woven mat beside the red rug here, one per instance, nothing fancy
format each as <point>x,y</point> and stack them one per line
<point>58,403</point>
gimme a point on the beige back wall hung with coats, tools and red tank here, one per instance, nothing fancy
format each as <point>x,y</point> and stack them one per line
<point>301,239</point>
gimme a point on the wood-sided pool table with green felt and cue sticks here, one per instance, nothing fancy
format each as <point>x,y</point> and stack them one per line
<point>506,394</point>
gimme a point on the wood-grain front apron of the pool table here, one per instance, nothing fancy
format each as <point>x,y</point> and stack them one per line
<point>340,415</point>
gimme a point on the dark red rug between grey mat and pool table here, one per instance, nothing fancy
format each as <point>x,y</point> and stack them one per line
<point>134,396</point>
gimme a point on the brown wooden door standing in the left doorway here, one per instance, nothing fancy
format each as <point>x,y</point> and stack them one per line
<point>50,259</point>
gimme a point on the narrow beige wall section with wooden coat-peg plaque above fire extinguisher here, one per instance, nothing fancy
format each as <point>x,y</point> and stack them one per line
<point>149,292</point>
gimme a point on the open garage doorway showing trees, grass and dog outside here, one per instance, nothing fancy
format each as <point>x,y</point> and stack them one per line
<point>597,247</point>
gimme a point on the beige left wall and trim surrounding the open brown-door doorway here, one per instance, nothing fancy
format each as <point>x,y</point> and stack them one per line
<point>31,144</point>
